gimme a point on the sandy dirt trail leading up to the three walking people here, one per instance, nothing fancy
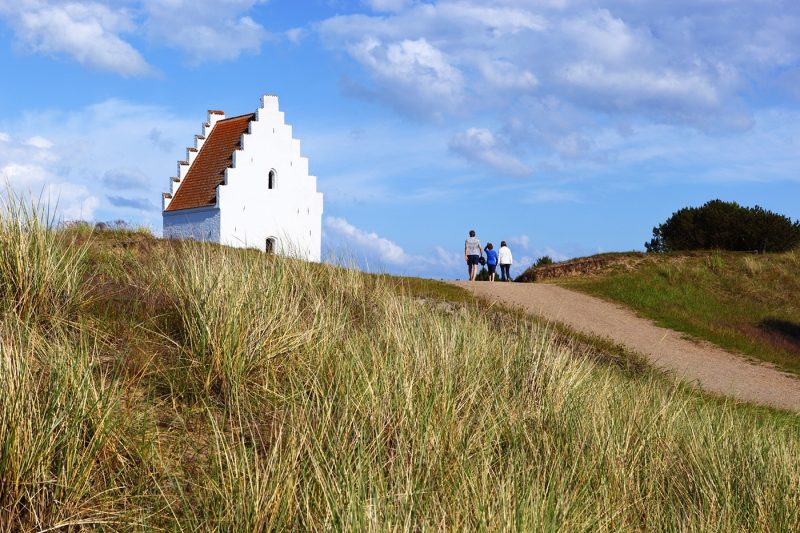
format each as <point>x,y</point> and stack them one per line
<point>708,366</point>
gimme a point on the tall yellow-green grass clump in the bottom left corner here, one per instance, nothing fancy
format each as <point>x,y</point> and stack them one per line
<point>59,453</point>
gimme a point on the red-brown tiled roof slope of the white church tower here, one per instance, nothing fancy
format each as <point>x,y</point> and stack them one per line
<point>207,172</point>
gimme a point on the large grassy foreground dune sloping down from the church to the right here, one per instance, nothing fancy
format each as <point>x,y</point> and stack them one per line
<point>152,385</point>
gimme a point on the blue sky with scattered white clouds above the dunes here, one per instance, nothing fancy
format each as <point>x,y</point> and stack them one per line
<point>566,127</point>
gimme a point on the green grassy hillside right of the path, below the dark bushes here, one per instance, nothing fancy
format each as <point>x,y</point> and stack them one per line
<point>745,302</point>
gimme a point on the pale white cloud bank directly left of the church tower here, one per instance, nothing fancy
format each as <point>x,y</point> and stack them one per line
<point>77,157</point>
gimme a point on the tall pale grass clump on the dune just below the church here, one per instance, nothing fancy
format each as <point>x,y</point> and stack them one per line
<point>237,314</point>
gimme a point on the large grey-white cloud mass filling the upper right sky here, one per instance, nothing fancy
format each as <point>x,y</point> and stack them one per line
<point>667,62</point>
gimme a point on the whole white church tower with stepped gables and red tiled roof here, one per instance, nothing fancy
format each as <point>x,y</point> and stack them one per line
<point>245,184</point>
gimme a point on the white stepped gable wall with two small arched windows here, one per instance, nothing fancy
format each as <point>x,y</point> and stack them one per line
<point>291,212</point>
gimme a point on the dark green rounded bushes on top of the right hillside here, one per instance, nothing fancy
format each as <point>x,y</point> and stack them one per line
<point>719,225</point>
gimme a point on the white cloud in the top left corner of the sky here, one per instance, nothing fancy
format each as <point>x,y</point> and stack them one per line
<point>88,32</point>
